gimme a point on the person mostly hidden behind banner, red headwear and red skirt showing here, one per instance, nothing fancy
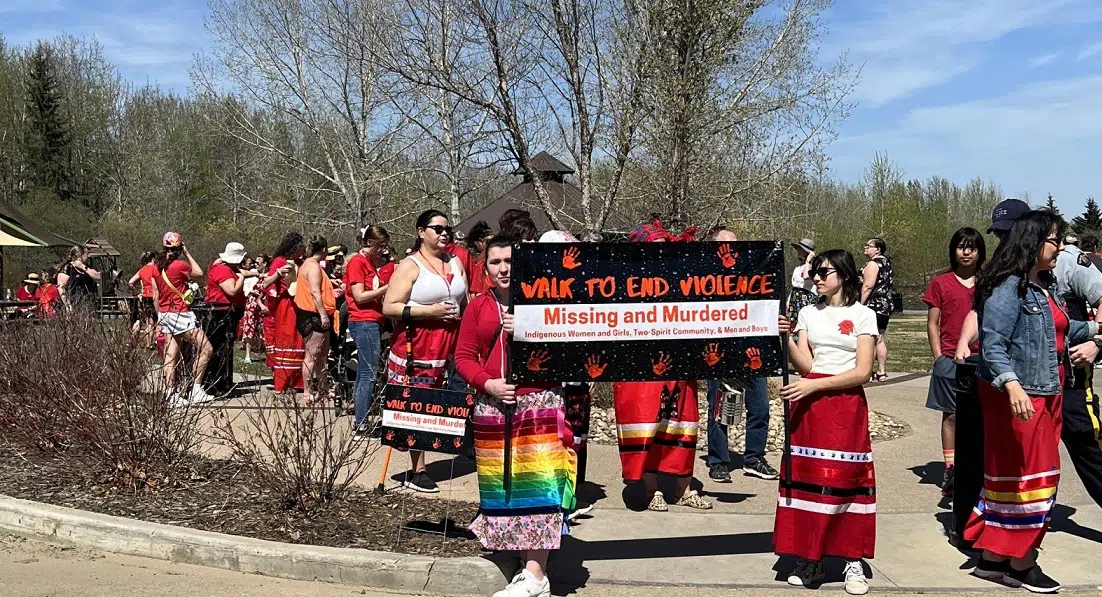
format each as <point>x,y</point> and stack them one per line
<point>657,421</point>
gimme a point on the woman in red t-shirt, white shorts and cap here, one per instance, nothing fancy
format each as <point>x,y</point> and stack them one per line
<point>177,268</point>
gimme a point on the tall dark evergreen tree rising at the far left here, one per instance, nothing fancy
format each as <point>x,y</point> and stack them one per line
<point>49,137</point>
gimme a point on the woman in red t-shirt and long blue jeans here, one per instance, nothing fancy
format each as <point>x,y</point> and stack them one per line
<point>368,276</point>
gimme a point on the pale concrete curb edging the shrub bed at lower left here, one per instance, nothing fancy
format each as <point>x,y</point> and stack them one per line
<point>361,568</point>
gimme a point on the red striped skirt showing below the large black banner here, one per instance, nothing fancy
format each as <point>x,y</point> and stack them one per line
<point>656,427</point>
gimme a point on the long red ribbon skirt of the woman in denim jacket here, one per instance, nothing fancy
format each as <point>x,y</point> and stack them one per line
<point>1021,473</point>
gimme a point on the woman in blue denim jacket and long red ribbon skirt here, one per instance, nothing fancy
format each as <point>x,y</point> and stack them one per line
<point>1024,335</point>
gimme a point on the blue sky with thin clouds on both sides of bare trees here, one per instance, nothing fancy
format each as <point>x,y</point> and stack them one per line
<point>1009,91</point>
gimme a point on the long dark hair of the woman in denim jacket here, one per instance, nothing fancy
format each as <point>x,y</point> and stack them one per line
<point>1018,255</point>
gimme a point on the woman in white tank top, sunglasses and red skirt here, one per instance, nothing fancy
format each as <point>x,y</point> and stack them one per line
<point>426,294</point>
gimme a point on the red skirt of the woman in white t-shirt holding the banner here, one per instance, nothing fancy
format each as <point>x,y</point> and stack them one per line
<point>828,508</point>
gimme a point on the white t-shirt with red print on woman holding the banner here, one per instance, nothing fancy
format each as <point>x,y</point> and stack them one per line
<point>833,333</point>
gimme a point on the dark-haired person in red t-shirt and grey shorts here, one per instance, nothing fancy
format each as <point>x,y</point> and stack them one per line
<point>949,298</point>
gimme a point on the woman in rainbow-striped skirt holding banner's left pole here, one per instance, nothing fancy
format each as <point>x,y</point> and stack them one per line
<point>526,482</point>
